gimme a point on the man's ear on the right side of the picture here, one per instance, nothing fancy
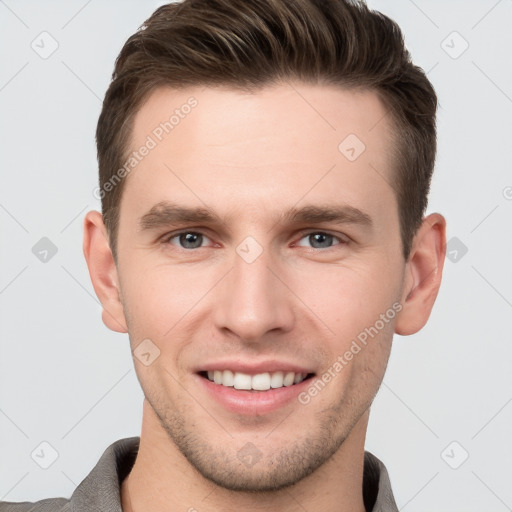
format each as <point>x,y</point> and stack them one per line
<point>423,273</point>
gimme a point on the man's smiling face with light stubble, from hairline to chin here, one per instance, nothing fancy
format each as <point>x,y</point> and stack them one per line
<point>259,292</point>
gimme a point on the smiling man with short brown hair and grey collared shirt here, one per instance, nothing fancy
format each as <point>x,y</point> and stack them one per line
<point>264,173</point>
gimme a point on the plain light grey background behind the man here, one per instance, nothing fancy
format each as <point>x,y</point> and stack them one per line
<point>66,380</point>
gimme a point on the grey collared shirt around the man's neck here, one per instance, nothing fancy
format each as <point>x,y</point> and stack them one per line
<point>100,491</point>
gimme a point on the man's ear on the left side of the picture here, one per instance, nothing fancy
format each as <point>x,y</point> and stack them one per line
<point>103,271</point>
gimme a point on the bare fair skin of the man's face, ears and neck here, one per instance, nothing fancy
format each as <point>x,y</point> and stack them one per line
<point>250,157</point>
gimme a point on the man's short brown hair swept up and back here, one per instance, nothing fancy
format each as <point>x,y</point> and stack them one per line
<point>248,44</point>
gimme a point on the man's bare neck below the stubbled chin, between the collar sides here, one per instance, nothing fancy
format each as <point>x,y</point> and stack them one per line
<point>162,479</point>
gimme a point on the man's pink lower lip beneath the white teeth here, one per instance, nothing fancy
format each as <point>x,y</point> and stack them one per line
<point>252,403</point>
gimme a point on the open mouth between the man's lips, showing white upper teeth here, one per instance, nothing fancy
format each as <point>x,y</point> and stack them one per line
<point>258,382</point>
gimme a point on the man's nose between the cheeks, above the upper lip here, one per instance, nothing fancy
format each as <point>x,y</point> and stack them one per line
<point>254,299</point>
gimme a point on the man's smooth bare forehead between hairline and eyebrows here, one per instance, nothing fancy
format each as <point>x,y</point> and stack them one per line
<point>262,149</point>
